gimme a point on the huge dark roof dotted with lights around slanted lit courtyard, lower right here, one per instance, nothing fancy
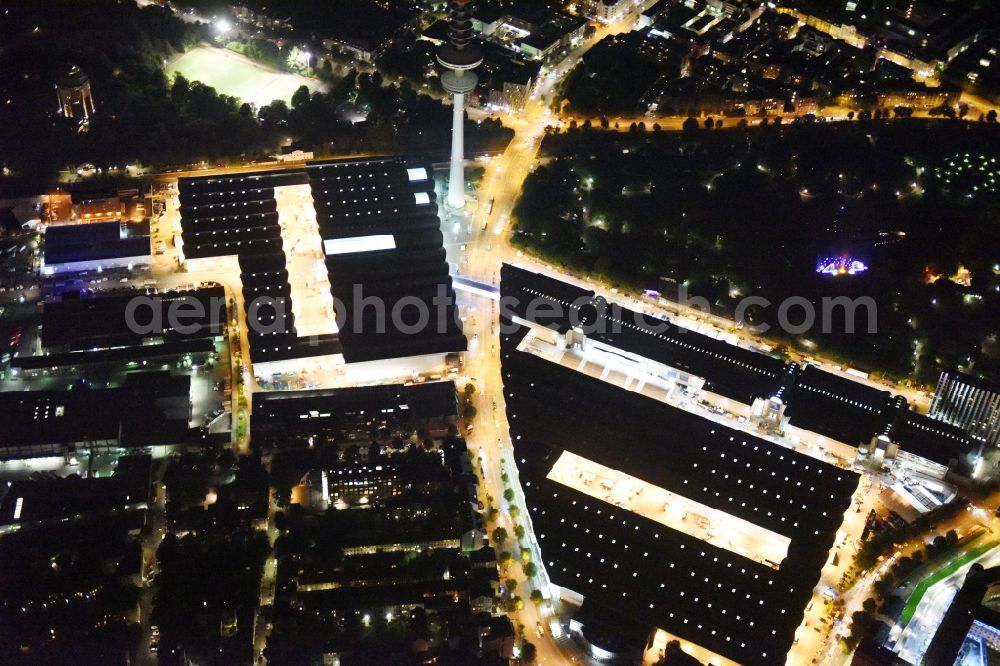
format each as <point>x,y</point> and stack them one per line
<point>662,577</point>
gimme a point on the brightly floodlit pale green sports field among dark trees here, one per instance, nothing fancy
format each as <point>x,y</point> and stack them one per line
<point>233,74</point>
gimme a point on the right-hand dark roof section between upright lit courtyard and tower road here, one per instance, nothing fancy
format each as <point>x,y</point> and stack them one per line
<point>391,196</point>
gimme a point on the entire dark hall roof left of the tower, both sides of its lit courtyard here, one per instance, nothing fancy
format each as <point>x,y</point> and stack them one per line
<point>237,215</point>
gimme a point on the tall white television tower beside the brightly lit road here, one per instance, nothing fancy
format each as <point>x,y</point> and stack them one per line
<point>459,57</point>
